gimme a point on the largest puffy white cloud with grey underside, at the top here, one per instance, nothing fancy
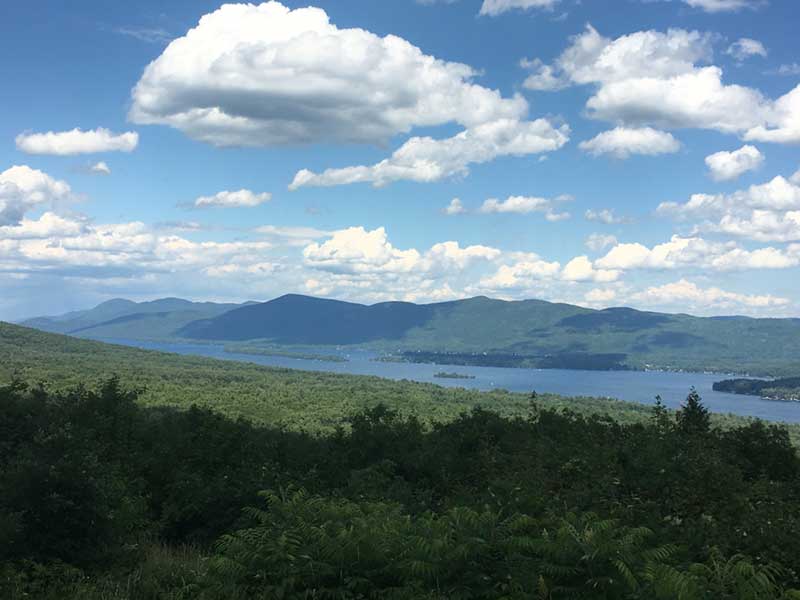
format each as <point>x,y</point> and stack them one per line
<point>264,74</point>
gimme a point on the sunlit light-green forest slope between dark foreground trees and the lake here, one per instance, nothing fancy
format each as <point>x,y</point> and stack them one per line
<point>298,400</point>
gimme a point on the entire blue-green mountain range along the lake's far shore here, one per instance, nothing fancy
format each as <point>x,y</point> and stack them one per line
<point>479,330</point>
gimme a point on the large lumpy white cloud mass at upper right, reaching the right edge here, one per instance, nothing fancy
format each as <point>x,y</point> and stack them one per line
<point>649,78</point>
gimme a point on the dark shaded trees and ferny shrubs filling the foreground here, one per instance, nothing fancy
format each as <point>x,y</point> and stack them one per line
<point>103,498</point>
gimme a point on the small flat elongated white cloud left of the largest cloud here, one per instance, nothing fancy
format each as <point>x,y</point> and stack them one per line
<point>76,141</point>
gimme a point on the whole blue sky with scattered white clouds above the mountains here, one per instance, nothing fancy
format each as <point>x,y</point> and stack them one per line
<point>639,153</point>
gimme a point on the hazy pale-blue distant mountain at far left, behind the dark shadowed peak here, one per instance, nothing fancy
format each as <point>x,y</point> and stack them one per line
<point>119,318</point>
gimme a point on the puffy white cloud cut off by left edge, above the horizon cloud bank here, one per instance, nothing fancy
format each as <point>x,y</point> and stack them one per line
<point>23,188</point>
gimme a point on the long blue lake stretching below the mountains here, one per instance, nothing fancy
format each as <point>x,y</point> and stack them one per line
<point>634,386</point>
